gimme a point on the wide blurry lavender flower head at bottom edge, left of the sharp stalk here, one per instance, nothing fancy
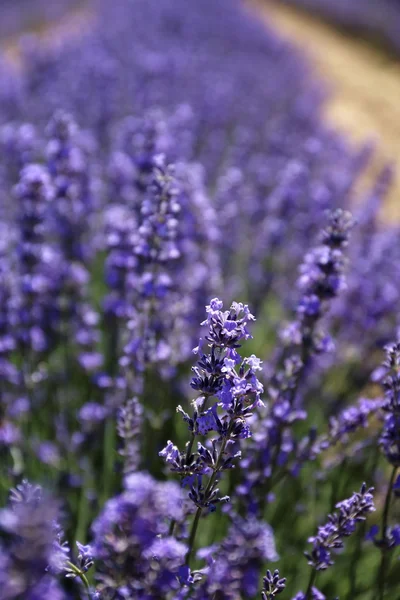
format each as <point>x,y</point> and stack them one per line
<point>134,552</point>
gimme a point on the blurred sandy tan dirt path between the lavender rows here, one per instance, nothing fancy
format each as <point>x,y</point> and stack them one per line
<point>365,80</point>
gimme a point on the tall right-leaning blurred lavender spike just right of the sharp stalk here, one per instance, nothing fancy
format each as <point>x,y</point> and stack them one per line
<point>321,279</point>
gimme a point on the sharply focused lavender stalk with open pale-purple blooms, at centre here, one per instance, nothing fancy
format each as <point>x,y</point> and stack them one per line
<point>221,374</point>
